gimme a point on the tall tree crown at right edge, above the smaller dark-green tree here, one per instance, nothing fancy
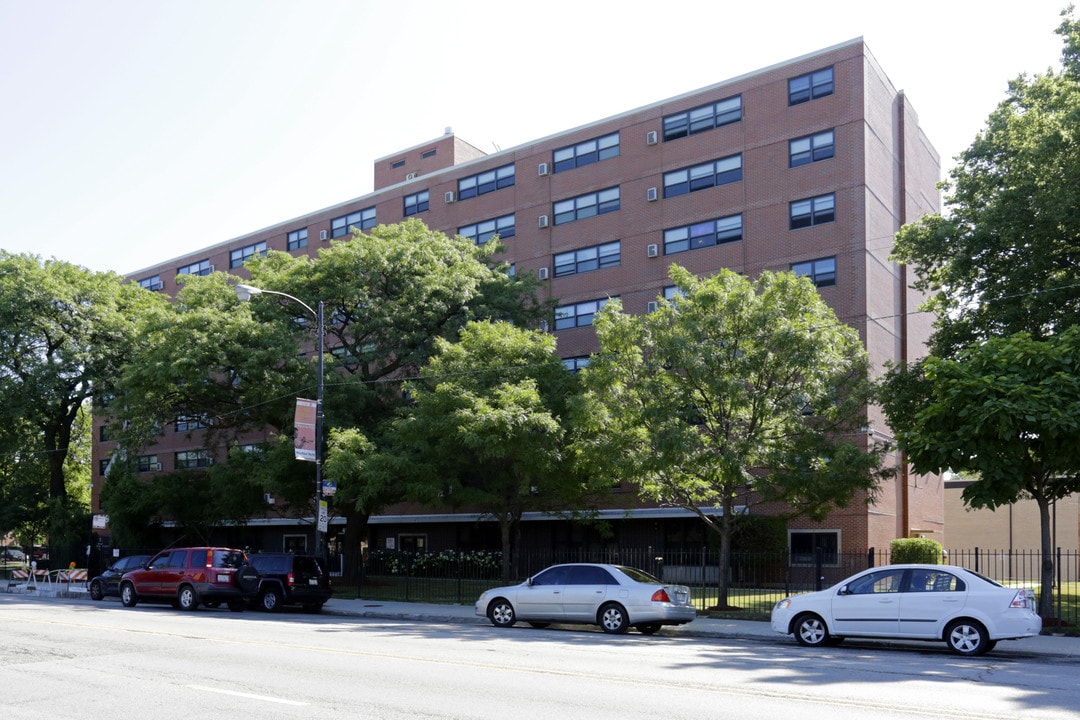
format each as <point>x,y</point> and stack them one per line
<point>1006,259</point>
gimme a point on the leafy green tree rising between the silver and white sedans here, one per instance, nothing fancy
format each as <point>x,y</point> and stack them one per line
<point>735,392</point>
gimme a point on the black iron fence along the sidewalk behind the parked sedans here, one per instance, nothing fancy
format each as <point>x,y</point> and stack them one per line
<point>757,581</point>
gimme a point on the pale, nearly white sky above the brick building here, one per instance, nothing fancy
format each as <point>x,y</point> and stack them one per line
<point>134,131</point>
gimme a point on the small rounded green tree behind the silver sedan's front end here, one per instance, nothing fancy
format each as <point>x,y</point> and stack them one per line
<point>488,429</point>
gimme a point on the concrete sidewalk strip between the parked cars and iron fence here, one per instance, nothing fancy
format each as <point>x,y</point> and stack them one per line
<point>1048,646</point>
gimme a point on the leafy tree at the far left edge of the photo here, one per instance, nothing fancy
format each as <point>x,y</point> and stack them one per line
<point>67,334</point>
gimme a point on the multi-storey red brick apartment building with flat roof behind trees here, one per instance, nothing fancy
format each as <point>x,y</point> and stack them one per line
<point>809,166</point>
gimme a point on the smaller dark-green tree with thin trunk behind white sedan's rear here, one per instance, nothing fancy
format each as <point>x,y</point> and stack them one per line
<point>1007,411</point>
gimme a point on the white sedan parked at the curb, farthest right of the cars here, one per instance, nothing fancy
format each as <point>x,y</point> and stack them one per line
<point>913,603</point>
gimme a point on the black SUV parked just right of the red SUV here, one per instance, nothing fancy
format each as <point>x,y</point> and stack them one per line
<point>288,579</point>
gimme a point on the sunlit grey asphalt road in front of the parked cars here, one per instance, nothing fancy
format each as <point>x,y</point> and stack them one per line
<point>84,660</point>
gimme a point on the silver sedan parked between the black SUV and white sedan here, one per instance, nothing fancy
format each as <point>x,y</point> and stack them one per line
<point>614,597</point>
